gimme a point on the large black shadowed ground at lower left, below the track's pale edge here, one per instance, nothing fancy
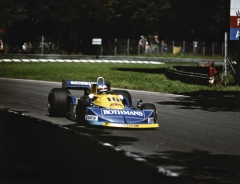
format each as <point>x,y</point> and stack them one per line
<point>35,151</point>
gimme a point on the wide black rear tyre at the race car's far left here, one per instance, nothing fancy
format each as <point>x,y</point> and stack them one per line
<point>57,102</point>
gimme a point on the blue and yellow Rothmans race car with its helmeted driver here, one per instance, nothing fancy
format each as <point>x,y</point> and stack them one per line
<point>100,106</point>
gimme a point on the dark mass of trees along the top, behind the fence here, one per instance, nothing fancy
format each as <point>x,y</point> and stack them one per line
<point>75,20</point>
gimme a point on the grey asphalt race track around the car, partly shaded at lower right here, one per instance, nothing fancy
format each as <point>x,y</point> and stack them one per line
<point>197,138</point>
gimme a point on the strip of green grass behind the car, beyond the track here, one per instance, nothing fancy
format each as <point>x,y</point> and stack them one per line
<point>130,76</point>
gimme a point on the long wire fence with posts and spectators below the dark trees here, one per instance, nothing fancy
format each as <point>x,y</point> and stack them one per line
<point>118,47</point>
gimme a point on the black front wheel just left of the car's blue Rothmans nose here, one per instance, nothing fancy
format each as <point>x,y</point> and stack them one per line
<point>81,112</point>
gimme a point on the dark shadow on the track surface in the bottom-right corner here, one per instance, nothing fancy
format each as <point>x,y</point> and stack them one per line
<point>201,167</point>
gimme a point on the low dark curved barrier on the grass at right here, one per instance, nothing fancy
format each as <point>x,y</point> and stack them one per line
<point>187,77</point>
